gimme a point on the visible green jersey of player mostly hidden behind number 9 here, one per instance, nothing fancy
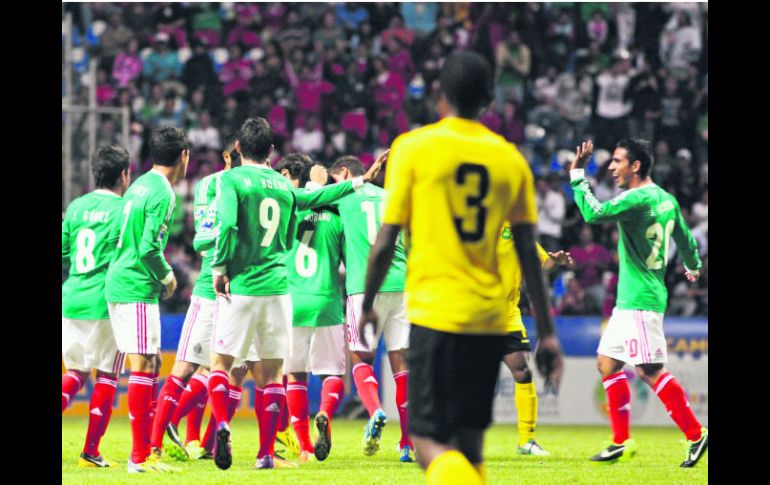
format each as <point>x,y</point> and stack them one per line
<point>205,214</point>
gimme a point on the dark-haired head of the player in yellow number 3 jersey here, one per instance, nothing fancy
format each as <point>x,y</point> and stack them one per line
<point>466,81</point>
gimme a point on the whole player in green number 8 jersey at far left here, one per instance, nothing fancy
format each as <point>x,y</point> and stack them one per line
<point>87,338</point>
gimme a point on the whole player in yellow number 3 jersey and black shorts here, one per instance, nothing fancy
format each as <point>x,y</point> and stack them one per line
<point>452,185</point>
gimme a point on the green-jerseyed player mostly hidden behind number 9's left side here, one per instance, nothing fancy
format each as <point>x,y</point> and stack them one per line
<point>195,339</point>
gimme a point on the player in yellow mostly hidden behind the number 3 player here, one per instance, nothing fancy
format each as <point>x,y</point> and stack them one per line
<point>517,345</point>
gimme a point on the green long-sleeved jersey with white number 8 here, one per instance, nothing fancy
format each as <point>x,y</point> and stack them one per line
<point>84,244</point>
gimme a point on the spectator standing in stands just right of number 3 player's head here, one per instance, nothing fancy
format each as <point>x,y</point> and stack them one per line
<point>513,61</point>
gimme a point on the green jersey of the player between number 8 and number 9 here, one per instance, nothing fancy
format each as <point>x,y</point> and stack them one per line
<point>138,267</point>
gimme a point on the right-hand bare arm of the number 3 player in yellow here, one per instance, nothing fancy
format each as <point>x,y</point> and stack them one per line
<point>548,352</point>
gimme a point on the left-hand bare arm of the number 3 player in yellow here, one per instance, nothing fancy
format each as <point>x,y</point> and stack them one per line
<point>380,257</point>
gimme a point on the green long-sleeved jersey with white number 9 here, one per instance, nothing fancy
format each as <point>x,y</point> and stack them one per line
<point>256,222</point>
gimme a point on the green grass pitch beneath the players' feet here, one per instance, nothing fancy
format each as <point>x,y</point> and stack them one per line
<point>660,452</point>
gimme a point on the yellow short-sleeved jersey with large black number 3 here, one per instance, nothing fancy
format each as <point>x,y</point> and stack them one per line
<point>453,184</point>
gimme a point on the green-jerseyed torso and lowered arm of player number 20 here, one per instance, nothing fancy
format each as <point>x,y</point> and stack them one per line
<point>644,237</point>
